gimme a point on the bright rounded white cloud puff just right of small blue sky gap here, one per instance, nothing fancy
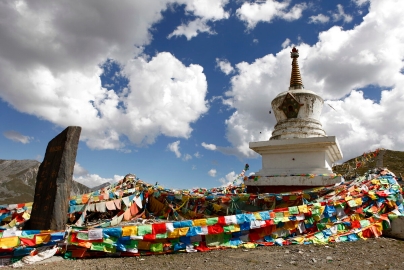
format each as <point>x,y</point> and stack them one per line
<point>165,104</point>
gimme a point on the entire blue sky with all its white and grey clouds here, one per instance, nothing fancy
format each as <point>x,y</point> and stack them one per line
<point>174,90</point>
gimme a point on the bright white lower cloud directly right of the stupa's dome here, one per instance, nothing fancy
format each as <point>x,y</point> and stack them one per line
<point>362,125</point>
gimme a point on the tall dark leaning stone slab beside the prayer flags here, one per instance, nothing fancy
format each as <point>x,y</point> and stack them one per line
<point>54,182</point>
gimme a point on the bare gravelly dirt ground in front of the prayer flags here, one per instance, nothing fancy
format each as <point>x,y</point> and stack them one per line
<point>380,253</point>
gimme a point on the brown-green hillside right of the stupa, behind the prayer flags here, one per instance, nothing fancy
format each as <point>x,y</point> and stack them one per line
<point>393,160</point>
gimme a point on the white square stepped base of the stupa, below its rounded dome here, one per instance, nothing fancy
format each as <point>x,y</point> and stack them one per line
<point>295,164</point>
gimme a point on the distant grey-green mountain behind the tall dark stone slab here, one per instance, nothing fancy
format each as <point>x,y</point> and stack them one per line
<point>18,179</point>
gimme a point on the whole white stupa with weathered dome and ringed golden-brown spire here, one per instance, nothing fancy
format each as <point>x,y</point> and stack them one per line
<point>299,154</point>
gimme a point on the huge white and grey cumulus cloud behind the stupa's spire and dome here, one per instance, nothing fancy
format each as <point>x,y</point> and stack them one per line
<point>336,67</point>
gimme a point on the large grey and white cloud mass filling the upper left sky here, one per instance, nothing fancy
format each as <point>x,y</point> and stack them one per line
<point>60,81</point>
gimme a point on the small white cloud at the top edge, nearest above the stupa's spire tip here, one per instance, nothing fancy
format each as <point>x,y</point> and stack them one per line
<point>253,13</point>
